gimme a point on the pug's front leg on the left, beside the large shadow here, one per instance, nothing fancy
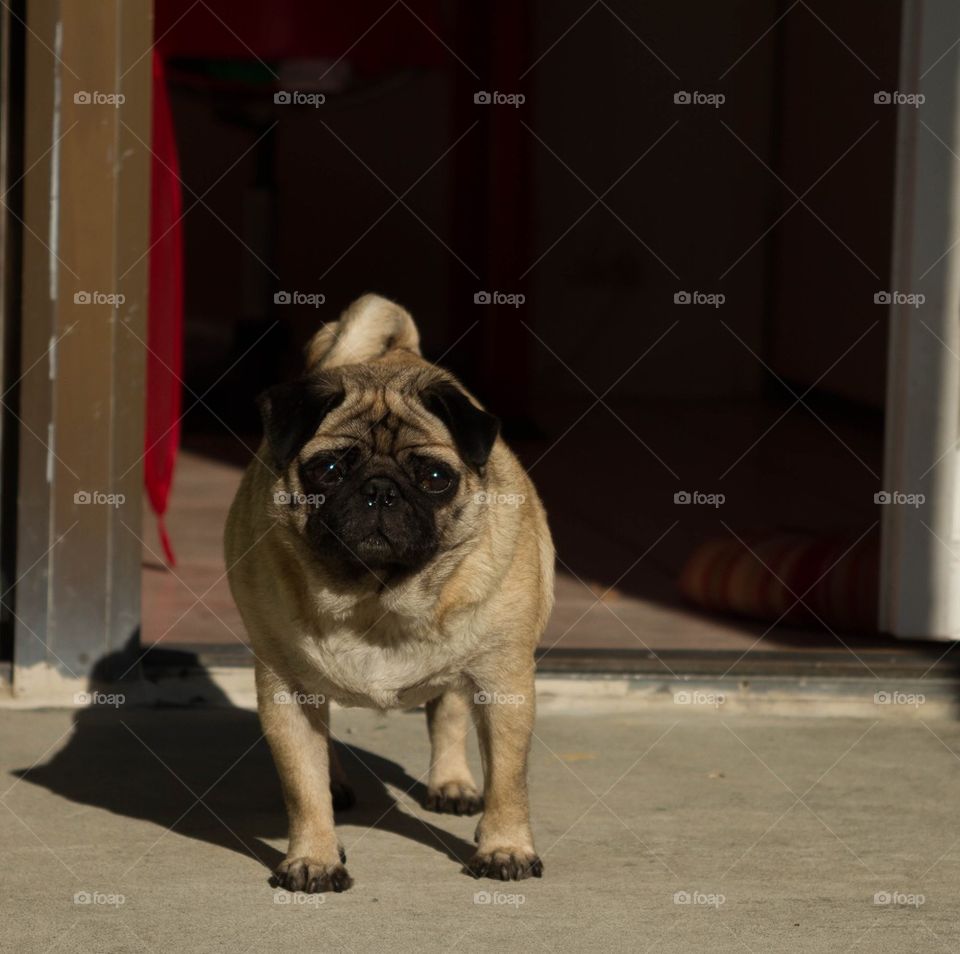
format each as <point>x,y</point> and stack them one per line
<point>299,733</point>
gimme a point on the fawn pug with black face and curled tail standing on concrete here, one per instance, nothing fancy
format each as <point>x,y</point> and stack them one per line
<point>387,550</point>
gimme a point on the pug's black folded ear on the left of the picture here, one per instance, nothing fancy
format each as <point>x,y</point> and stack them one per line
<point>292,412</point>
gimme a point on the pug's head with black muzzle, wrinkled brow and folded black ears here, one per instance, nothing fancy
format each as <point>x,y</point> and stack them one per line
<point>377,466</point>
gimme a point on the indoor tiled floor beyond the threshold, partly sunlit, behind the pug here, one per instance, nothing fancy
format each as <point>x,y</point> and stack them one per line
<point>611,505</point>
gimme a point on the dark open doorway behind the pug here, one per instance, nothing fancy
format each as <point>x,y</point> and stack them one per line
<point>692,303</point>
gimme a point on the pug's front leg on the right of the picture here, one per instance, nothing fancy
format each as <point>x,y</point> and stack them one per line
<point>504,710</point>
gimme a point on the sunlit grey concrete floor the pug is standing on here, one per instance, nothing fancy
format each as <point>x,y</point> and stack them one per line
<point>779,833</point>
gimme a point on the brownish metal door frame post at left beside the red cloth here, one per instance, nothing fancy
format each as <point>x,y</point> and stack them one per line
<point>86,200</point>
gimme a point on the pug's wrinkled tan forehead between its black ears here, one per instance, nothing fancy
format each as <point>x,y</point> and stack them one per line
<point>384,421</point>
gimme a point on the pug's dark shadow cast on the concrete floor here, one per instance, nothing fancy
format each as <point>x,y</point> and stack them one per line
<point>205,771</point>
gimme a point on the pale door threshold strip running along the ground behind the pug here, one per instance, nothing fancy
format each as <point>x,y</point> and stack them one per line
<point>878,684</point>
